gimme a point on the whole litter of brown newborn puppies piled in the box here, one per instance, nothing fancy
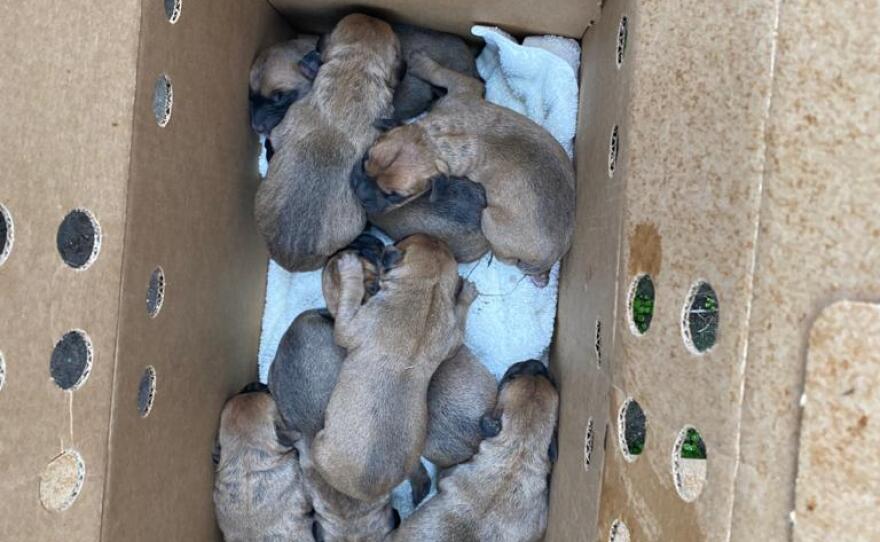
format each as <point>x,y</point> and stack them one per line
<point>361,390</point>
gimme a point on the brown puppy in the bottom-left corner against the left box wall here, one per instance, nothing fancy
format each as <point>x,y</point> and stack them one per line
<point>258,486</point>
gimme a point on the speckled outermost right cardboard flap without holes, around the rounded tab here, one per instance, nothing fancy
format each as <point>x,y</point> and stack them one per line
<point>820,233</point>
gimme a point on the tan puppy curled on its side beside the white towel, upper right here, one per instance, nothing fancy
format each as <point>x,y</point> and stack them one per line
<point>528,178</point>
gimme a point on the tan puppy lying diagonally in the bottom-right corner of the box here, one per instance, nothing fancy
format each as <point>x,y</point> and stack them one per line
<point>501,495</point>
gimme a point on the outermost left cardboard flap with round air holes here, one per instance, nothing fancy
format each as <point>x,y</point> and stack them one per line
<point>68,89</point>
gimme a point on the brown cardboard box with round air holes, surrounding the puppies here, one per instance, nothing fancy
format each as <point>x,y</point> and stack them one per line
<point>731,143</point>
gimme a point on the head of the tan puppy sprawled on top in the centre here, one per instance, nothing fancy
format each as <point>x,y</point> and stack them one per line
<point>419,257</point>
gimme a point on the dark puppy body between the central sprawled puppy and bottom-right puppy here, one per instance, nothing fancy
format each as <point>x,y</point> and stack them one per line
<point>461,392</point>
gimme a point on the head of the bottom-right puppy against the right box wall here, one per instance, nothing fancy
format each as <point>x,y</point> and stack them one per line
<point>527,407</point>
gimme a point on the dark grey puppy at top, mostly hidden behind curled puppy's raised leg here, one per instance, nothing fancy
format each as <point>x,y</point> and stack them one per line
<point>413,95</point>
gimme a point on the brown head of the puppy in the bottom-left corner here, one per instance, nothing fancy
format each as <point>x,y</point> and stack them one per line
<point>250,420</point>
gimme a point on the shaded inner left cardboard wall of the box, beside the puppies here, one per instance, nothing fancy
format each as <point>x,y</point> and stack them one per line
<point>191,212</point>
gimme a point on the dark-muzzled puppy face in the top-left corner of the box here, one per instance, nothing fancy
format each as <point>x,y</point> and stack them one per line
<point>281,75</point>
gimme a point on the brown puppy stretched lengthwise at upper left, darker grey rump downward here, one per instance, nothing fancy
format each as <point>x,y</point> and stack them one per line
<point>305,208</point>
